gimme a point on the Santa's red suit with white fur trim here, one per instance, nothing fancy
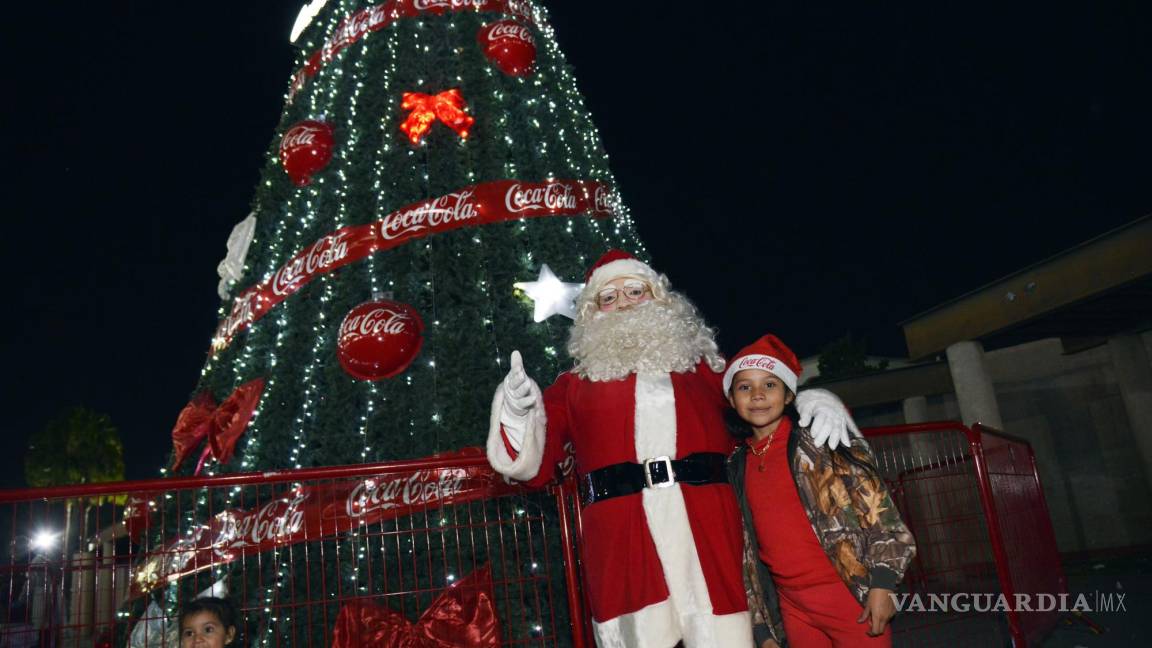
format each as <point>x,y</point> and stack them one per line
<point>661,566</point>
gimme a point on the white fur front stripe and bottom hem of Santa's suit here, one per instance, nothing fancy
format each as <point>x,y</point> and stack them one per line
<point>668,521</point>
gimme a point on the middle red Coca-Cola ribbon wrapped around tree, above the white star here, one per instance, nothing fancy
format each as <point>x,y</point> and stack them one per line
<point>479,205</point>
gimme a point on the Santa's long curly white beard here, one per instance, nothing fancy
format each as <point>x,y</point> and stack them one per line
<point>657,337</point>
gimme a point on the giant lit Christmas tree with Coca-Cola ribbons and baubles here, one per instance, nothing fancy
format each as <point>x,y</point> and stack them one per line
<point>431,155</point>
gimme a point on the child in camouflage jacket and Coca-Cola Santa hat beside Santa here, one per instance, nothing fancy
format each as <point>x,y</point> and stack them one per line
<point>816,521</point>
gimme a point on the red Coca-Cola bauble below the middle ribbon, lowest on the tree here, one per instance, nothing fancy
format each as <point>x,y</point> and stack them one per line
<point>380,340</point>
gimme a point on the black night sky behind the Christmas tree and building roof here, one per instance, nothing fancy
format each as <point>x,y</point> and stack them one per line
<point>808,169</point>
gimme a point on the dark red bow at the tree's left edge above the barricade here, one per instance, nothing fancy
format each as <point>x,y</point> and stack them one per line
<point>223,426</point>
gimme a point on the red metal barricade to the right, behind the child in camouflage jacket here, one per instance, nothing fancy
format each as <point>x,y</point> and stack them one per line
<point>973,499</point>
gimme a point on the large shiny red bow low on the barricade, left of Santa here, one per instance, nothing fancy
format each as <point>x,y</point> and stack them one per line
<point>463,616</point>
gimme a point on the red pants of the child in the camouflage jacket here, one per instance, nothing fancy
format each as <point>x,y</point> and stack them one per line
<point>824,616</point>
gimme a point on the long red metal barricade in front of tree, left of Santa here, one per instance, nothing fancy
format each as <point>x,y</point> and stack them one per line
<point>299,551</point>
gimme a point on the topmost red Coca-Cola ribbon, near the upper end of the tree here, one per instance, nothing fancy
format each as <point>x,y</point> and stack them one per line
<point>375,19</point>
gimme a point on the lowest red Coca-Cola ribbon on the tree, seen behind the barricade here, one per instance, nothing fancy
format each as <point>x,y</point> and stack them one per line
<point>310,514</point>
